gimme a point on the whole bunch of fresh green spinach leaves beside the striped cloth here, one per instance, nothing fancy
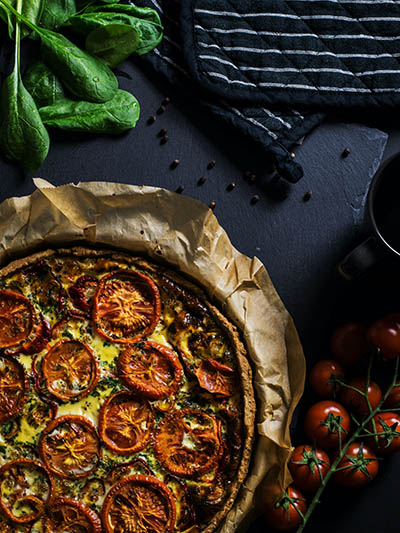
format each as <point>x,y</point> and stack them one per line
<point>70,88</point>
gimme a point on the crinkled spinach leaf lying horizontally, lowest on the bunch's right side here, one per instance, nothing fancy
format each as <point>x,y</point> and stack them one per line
<point>114,116</point>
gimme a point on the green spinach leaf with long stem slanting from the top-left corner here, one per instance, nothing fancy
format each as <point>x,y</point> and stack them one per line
<point>84,75</point>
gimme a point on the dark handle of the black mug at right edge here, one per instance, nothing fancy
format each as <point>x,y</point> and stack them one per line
<point>359,260</point>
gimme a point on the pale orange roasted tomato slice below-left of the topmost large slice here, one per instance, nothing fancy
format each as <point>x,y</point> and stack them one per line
<point>70,370</point>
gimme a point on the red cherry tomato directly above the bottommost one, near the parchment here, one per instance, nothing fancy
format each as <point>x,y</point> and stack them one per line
<point>308,467</point>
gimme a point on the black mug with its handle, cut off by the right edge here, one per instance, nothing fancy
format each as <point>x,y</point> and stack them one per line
<point>383,219</point>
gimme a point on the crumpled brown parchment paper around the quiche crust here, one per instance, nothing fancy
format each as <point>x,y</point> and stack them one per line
<point>186,234</point>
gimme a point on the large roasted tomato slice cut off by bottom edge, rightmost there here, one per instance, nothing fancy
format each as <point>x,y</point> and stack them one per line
<point>139,504</point>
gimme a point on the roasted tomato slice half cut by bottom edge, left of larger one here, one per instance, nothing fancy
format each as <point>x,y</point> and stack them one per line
<point>70,516</point>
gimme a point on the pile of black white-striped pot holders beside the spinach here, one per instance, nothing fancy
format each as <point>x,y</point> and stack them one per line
<point>274,68</point>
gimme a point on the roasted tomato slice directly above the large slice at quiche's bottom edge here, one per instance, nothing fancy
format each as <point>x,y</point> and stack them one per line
<point>125,423</point>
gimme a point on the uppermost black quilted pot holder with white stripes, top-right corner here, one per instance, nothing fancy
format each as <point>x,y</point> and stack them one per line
<point>321,53</point>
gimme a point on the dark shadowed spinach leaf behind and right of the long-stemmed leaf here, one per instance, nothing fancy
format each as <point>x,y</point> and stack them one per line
<point>113,43</point>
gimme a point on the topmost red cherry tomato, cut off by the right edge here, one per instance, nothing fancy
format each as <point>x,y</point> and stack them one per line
<point>385,335</point>
